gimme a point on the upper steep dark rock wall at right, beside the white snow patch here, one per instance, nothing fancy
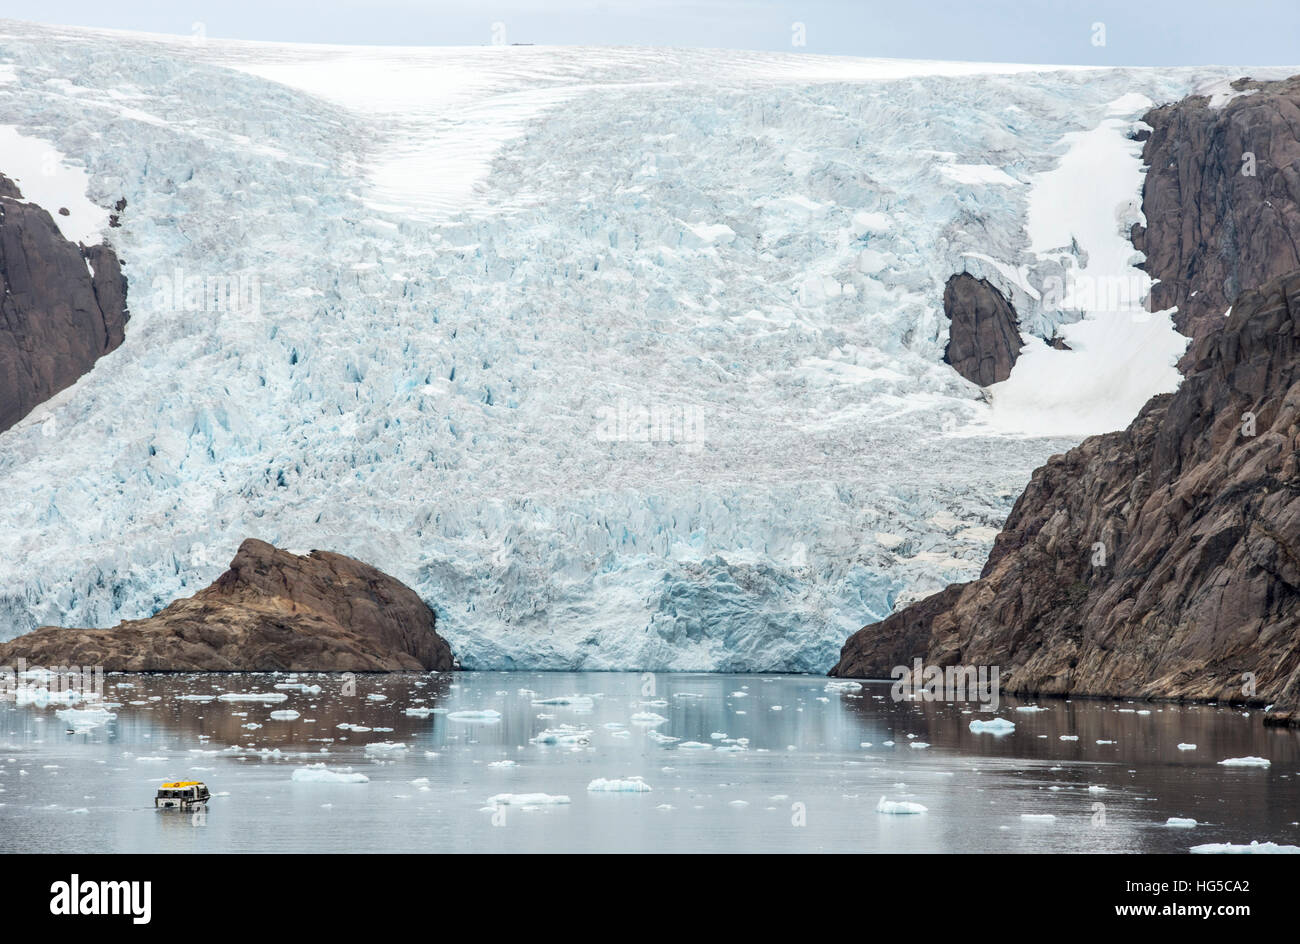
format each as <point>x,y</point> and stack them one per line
<point>1223,200</point>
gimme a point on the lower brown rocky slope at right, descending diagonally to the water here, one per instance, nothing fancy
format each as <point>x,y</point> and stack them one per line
<point>1160,561</point>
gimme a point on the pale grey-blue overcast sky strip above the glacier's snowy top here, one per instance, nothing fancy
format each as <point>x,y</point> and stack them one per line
<point>1055,32</point>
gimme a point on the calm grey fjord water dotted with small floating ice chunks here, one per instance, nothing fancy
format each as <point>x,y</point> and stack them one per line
<point>791,765</point>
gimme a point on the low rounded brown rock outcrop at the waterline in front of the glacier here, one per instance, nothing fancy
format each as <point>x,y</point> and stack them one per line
<point>271,612</point>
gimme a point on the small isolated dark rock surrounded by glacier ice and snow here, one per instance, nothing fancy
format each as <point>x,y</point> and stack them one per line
<point>983,339</point>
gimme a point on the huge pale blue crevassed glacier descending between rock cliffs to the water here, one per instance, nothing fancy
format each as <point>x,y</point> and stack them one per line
<point>623,358</point>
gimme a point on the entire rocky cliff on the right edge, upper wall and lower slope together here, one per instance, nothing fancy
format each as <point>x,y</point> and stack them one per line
<point>1164,560</point>
